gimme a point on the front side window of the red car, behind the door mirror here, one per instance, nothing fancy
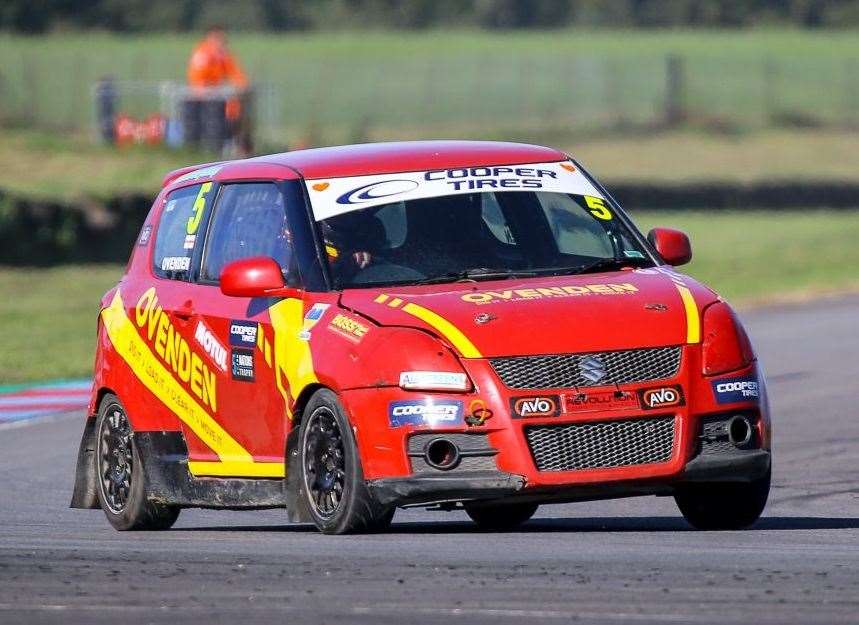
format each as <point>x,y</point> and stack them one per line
<point>249,220</point>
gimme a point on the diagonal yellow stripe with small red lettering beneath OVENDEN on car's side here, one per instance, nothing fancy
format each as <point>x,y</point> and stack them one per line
<point>158,379</point>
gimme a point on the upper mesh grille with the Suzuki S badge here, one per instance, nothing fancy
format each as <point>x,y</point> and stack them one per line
<point>566,371</point>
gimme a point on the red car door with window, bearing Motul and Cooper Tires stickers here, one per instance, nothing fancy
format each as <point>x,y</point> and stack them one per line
<point>236,335</point>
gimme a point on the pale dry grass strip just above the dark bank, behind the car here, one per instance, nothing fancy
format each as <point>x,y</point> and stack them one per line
<point>36,164</point>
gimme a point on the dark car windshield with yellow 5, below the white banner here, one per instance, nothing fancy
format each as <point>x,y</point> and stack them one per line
<point>486,235</point>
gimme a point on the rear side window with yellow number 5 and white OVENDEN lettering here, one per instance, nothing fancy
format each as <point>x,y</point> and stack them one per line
<point>177,231</point>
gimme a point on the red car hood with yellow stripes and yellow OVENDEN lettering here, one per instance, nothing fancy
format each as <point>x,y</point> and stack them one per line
<point>559,314</point>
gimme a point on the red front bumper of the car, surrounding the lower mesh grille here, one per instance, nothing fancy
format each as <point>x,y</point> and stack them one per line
<point>507,467</point>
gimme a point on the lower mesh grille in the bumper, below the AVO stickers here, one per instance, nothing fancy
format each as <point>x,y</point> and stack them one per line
<point>601,445</point>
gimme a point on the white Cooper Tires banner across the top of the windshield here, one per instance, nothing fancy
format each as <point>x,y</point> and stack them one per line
<point>335,196</point>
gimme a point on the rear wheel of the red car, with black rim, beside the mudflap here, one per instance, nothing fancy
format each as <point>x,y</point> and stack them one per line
<point>120,479</point>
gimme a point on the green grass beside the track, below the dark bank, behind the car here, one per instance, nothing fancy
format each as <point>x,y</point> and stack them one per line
<point>49,315</point>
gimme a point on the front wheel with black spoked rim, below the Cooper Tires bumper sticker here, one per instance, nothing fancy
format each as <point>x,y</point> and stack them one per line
<point>332,480</point>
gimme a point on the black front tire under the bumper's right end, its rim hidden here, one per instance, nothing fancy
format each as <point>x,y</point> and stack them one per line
<point>729,506</point>
